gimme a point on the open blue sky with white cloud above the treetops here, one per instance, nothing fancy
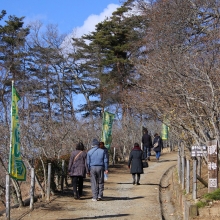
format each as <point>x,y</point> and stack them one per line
<point>67,14</point>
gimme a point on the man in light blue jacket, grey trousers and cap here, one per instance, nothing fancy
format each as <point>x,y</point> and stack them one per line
<point>97,161</point>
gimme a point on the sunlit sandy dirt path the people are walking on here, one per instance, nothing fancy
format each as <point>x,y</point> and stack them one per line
<point>122,200</point>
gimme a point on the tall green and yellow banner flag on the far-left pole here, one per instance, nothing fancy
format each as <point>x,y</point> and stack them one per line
<point>16,167</point>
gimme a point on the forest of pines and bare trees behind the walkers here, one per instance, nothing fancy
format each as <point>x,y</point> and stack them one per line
<point>151,62</point>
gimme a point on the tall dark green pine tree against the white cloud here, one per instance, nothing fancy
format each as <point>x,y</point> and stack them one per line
<point>106,53</point>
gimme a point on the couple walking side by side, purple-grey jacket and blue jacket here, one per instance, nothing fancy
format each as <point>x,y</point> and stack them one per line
<point>94,163</point>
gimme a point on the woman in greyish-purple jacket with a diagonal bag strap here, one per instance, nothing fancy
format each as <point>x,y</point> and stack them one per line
<point>77,169</point>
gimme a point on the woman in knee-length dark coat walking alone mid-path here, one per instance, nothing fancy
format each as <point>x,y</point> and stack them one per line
<point>135,163</point>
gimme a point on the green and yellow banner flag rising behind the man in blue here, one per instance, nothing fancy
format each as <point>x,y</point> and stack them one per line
<point>107,122</point>
